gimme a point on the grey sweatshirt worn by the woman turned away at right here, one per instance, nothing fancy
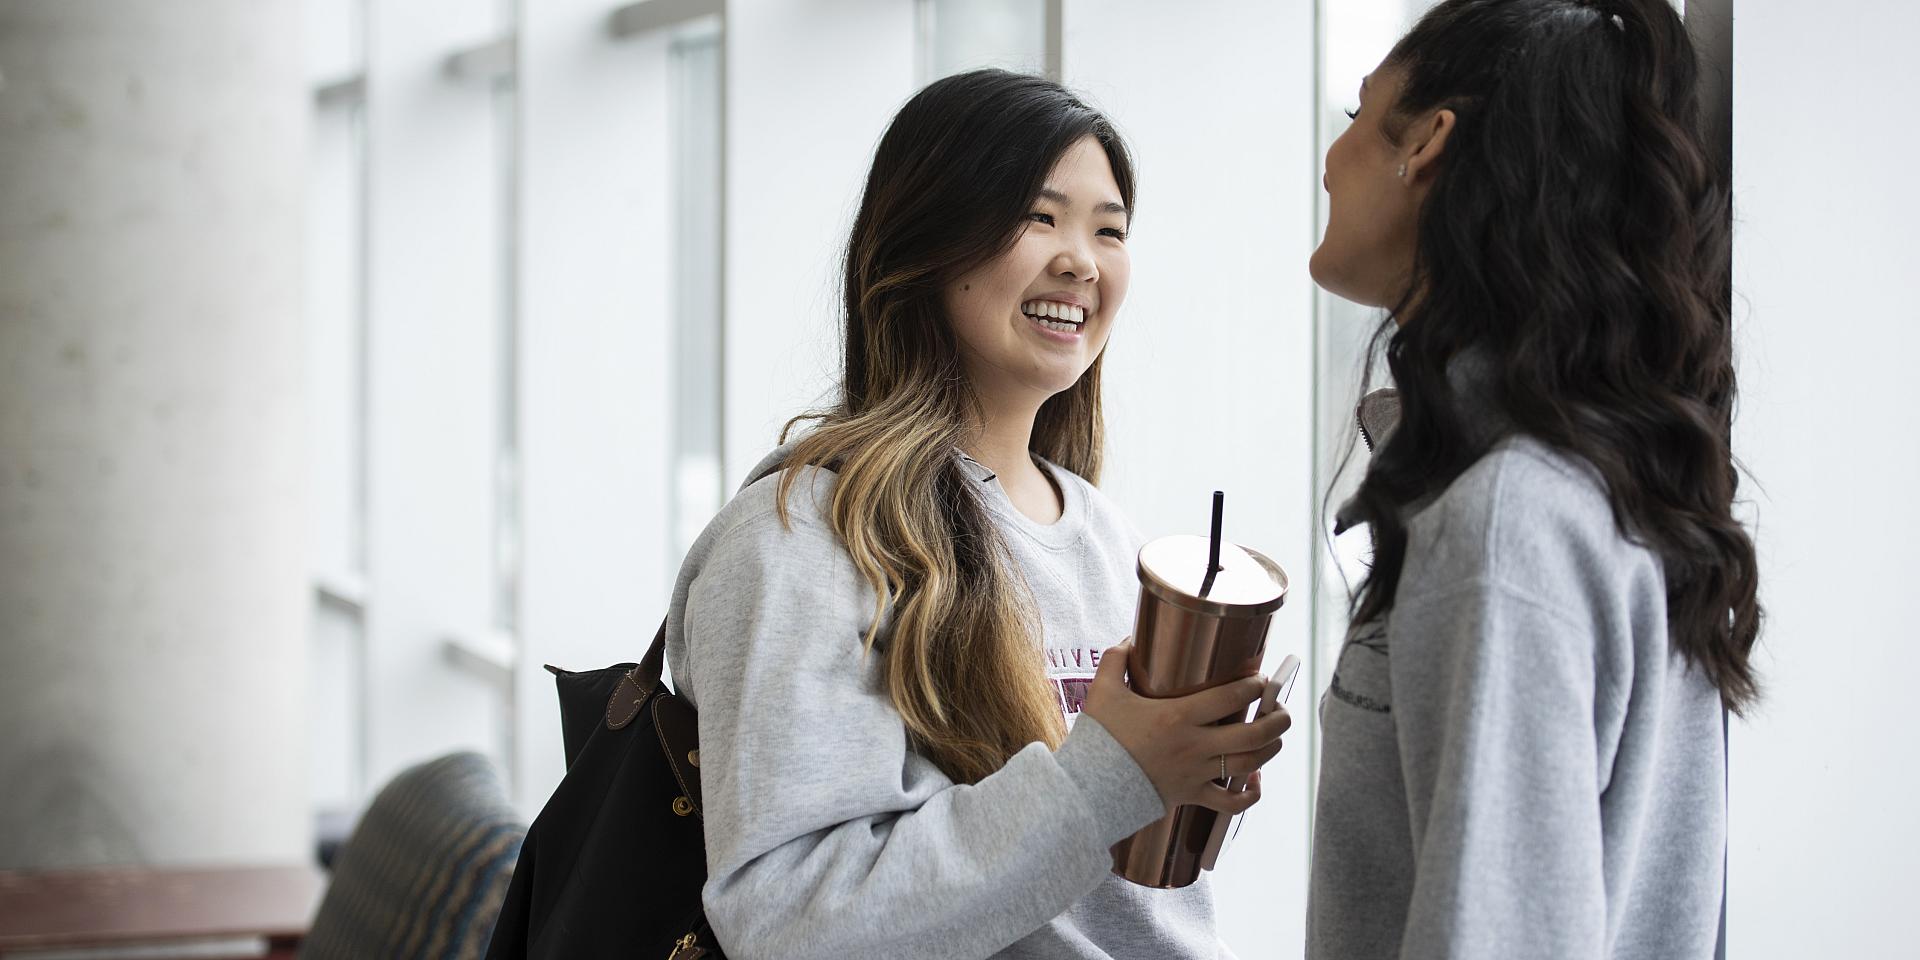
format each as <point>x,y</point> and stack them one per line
<point>1516,763</point>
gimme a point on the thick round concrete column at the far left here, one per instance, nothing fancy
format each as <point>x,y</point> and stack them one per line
<point>153,554</point>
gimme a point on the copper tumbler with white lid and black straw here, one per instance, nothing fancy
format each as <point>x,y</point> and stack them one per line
<point>1199,625</point>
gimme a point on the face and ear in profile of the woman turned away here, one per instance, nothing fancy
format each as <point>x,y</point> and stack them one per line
<point>1374,204</point>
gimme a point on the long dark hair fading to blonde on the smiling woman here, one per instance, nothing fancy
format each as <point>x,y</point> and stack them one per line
<point>951,187</point>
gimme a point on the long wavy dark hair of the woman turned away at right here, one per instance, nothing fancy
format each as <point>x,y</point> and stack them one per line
<point>1577,239</point>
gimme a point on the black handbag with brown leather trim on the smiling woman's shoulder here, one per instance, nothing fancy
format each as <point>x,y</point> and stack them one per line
<point>615,861</point>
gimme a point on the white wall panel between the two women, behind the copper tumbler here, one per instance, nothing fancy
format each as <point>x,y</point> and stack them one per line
<point>1211,372</point>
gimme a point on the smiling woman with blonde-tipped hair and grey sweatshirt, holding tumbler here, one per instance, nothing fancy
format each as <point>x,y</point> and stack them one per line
<point>915,738</point>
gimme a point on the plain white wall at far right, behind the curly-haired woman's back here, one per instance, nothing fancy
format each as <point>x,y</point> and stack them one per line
<point>1825,782</point>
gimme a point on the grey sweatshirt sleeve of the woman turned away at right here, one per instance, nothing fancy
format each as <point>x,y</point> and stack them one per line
<point>1495,711</point>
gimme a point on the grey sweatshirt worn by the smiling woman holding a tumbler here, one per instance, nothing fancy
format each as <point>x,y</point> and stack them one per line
<point>828,836</point>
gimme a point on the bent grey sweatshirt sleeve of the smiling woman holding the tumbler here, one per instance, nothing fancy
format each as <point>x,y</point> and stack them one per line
<point>825,834</point>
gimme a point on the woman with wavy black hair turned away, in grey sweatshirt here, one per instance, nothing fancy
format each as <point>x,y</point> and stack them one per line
<point>1524,736</point>
